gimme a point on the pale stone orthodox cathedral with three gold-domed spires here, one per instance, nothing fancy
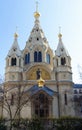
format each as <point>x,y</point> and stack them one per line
<point>44,77</point>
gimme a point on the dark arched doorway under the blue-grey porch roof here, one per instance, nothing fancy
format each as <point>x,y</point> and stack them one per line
<point>41,105</point>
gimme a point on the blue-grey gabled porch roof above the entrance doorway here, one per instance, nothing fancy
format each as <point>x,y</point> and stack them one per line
<point>34,89</point>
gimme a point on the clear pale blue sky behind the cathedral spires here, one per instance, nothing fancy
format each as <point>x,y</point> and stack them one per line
<point>54,13</point>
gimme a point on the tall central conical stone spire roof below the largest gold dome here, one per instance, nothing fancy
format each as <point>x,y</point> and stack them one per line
<point>37,36</point>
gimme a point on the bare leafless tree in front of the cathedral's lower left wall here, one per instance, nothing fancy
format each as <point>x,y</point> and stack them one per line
<point>14,99</point>
